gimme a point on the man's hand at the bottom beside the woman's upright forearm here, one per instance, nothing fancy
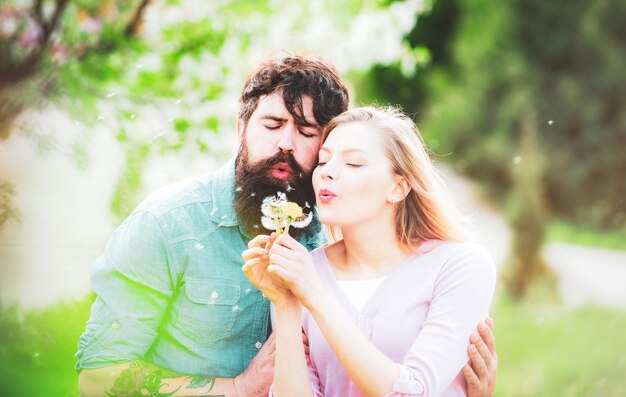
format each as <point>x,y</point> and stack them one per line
<point>256,380</point>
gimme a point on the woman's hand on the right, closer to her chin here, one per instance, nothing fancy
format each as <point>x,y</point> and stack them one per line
<point>292,265</point>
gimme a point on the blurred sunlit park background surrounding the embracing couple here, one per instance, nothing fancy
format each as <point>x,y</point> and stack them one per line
<point>523,104</point>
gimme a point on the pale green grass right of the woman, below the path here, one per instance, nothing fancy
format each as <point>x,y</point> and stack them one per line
<point>552,351</point>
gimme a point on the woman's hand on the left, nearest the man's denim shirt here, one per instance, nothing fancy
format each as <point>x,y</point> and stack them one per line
<point>255,268</point>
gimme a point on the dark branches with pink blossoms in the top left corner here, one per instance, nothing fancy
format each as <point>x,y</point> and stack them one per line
<point>38,42</point>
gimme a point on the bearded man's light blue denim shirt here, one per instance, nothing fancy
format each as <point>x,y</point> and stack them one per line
<point>170,289</point>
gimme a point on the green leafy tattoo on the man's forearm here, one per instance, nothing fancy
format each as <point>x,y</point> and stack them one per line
<point>142,379</point>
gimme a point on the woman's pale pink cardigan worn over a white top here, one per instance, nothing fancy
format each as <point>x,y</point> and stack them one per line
<point>421,317</point>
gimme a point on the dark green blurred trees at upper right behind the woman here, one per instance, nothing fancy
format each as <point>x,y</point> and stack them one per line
<point>561,60</point>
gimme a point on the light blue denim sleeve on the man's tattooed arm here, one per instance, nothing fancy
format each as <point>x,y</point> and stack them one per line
<point>133,282</point>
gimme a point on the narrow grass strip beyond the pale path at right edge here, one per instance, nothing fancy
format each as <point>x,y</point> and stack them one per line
<point>574,234</point>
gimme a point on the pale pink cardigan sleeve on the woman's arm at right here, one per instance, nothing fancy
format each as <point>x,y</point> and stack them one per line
<point>461,297</point>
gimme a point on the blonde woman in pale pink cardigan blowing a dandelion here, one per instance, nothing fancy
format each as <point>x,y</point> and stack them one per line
<point>388,310</point>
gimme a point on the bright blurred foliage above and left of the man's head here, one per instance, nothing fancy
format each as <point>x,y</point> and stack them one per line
<point>172,90</point>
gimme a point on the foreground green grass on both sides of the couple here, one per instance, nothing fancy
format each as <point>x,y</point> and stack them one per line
<point>544,350</point>
